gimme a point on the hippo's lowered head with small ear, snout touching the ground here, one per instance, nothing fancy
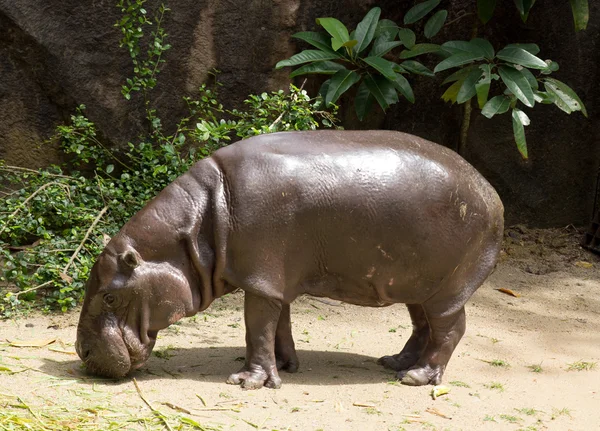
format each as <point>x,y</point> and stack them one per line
<point>128,300</point>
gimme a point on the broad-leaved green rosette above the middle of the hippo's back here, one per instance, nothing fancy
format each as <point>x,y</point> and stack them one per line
<point>357,57</point>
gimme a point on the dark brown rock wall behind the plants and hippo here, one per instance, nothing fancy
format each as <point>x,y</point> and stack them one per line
<point>57,54</point>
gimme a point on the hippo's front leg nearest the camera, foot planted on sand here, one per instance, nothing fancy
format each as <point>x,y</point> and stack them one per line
<point>261,316</point>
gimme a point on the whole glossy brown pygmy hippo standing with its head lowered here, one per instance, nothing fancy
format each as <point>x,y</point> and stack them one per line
<point>369,218</point>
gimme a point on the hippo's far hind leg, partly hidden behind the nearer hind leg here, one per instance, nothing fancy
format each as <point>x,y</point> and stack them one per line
<point>416,344</point>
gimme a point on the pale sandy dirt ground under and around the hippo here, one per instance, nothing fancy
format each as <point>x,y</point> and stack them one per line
<point>530,361</point>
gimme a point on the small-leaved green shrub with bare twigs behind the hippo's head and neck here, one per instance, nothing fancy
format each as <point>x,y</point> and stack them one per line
<point>55,221</point>
